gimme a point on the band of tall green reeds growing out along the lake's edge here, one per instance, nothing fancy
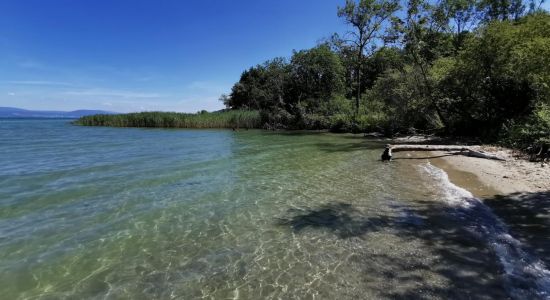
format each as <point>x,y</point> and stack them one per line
<point>223,119</point>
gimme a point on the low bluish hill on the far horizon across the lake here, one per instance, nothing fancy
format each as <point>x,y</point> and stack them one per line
<point>11,112</point>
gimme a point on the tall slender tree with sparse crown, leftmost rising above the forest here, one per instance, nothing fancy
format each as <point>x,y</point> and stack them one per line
<point>368,18</point>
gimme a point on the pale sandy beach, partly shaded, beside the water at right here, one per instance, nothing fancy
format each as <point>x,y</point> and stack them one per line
<point>516,190</point>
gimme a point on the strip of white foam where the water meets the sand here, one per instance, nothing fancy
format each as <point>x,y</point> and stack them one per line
<point>527,276</point>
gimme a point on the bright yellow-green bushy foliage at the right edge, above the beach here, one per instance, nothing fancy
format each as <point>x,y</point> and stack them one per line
<point>500,76</point>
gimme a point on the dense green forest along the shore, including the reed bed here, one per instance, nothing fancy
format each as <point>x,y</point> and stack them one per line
<point>478,68</point>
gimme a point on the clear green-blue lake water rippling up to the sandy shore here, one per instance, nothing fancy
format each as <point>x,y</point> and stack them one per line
<point>122,213</point>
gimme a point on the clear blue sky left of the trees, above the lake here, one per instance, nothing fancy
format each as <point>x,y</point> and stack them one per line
<point>132,55</point>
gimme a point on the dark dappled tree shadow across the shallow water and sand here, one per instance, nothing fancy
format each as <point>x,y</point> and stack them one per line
<point>456,235</point>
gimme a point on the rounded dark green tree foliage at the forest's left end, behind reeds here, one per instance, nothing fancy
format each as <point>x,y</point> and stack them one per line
<point>312,77</point>
